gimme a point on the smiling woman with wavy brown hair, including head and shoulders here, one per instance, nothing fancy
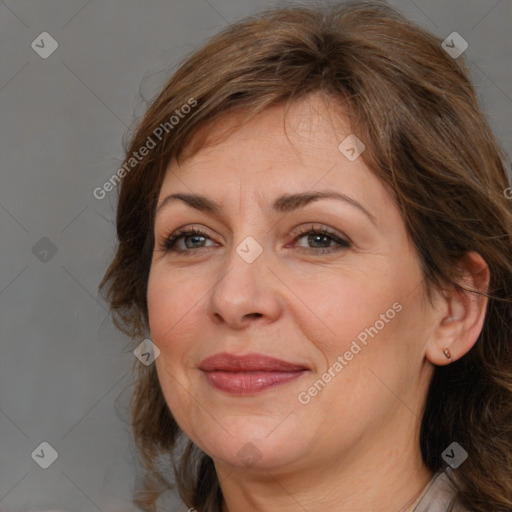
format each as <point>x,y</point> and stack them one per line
<point>316,239</point>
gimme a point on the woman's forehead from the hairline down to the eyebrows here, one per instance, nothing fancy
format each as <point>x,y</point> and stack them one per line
<point>280,151</point>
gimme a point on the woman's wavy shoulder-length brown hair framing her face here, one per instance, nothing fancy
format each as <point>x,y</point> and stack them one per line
<point>415,109</point>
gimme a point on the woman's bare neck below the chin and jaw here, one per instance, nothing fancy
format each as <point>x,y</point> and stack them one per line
<point>381,480</point>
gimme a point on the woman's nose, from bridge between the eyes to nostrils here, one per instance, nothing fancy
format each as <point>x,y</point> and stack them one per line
<point>245,292</point>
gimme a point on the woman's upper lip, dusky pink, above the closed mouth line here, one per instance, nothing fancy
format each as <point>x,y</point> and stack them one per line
<point>227,362</point>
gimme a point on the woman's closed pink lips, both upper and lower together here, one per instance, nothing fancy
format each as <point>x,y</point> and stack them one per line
<point>248,374</point>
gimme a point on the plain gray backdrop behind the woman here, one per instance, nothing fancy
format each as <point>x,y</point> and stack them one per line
<point>64,368</point>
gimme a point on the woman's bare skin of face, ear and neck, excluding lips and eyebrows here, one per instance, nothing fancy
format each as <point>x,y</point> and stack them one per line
<point>355,445</point>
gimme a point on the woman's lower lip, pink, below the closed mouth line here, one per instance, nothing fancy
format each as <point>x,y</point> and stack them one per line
<point>245,383</point>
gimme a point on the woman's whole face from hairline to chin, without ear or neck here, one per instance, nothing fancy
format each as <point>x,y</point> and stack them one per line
<point>332,286</point>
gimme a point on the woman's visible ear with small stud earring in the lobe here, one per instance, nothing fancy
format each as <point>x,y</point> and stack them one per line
<point>461,314</point>
